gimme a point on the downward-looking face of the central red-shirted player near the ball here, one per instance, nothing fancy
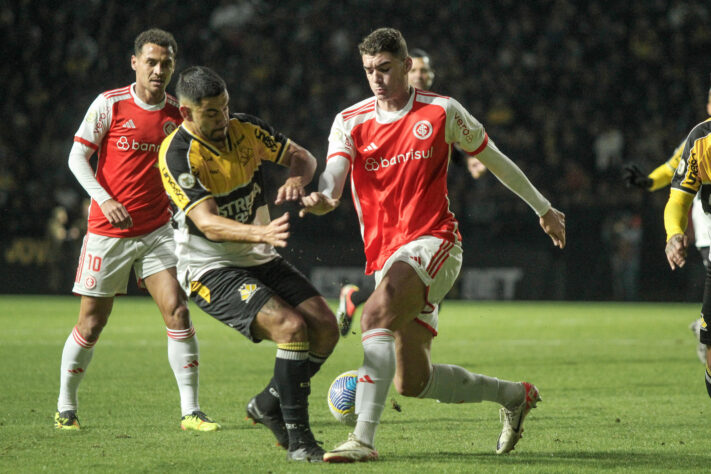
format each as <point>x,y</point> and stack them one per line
<point>386,75</point>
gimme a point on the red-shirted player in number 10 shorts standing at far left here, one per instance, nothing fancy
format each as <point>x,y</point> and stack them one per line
<point>129,225</point>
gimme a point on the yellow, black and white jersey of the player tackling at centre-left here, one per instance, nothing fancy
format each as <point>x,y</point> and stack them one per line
<point>193,170</point>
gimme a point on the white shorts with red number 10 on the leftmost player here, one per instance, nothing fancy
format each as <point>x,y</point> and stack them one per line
<point>105,262</point>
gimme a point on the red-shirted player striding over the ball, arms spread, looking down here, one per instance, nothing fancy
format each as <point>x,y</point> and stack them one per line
<point>396,146</point>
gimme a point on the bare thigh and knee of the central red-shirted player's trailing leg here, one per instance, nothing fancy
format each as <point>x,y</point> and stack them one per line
<point>413,343</point>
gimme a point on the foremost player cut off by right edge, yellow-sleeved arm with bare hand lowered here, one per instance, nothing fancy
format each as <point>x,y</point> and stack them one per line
<point>691,178</point>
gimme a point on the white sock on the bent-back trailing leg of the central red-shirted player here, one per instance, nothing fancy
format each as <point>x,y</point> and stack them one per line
<point>454,384</point>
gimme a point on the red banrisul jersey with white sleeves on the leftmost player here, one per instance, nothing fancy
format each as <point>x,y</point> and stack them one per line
<point>126,134</point>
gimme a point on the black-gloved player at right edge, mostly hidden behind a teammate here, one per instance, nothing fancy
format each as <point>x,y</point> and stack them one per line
<point>661,177</point>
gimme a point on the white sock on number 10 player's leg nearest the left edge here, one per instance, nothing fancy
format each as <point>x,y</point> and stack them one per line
<point>76,356</point>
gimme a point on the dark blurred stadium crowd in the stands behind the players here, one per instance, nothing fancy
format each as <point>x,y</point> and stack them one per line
<point>570,90</point>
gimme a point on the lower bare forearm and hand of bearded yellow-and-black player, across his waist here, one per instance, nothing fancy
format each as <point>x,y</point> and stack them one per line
<point>206,217</point>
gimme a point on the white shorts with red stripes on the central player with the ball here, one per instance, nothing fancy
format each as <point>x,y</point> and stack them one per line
<point>437,262</point>
